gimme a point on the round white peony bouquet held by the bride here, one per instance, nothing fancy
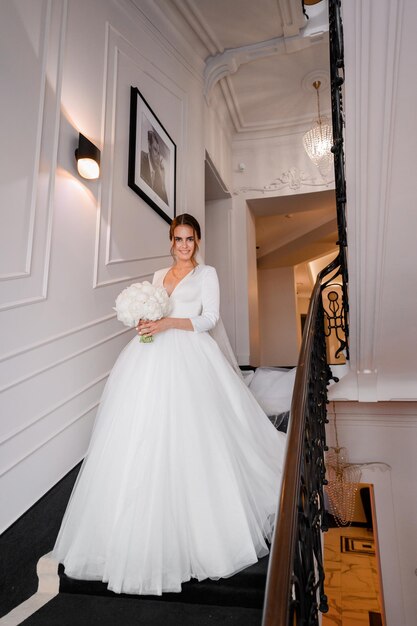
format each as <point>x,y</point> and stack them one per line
<point>142,301</point>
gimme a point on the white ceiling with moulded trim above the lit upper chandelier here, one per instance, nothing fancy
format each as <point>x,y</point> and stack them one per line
<point>265,54</point>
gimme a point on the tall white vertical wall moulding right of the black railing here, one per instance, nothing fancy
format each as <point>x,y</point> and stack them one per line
<point>369,158</point>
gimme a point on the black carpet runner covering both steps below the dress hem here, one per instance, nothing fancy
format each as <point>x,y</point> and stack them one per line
<point>230,601</point>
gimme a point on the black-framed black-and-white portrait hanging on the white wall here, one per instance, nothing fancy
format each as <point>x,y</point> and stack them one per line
<point>152,158</point>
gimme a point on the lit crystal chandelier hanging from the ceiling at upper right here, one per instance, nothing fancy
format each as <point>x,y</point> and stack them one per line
<point>318,141</point>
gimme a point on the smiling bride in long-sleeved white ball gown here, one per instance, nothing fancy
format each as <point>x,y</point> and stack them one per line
<point>182,476</point>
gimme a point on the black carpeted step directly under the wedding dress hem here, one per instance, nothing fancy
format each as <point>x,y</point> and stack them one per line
<point>245,589</point>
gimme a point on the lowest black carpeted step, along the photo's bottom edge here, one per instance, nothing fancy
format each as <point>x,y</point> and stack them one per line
<point>84,610</point>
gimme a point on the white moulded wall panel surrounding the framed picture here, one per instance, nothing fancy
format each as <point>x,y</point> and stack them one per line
<point>140,249</point>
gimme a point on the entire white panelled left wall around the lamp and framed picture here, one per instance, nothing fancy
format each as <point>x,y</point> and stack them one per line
<point>69,69</point>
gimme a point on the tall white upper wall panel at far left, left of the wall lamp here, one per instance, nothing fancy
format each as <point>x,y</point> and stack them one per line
<point>32,40</point>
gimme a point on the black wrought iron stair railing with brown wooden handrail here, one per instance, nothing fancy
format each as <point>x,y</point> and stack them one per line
<point>295,590</point>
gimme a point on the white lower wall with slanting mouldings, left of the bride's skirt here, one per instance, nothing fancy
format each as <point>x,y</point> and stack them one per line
<point>48,404</point>
